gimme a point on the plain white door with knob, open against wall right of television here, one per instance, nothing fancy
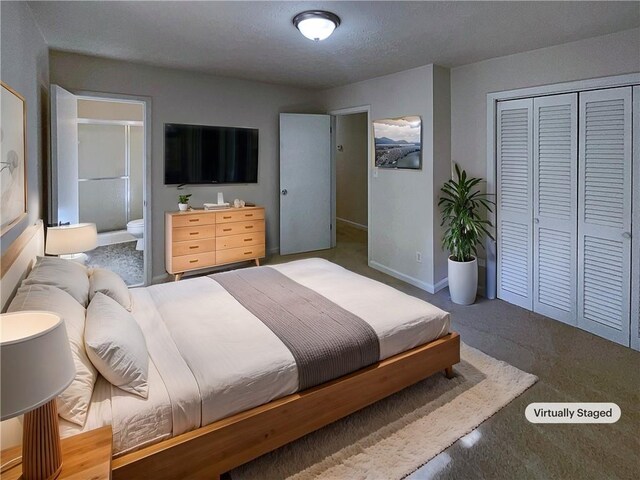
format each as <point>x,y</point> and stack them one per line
<point>305,183</point>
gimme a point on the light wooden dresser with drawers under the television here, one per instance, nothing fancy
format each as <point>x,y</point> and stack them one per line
<point>199,239</point>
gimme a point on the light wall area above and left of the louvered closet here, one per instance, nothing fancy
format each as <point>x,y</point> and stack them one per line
<point>607,55</point>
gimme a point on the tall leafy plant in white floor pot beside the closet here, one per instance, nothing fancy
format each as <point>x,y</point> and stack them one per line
<point>461,204</point>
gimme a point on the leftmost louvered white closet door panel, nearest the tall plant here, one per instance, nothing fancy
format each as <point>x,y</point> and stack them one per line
<point>514,219</point>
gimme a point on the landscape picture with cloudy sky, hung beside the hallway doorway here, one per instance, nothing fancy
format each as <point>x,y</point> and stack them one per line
<point>398,142</point>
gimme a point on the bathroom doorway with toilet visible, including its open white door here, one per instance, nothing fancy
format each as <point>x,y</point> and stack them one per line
<point>102,177</point>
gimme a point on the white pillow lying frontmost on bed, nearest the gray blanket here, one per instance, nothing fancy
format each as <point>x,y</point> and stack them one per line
<point>116,346</point>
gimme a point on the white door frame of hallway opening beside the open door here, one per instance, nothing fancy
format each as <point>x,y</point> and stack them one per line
<point>350,111</point>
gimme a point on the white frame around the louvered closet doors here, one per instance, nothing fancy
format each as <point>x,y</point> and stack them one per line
<point>630,79</point>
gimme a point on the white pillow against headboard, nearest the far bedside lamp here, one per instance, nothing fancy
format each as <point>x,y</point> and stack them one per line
<point>67,275</point>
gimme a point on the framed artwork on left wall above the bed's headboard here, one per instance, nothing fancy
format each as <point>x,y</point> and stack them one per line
<point>13,147</point>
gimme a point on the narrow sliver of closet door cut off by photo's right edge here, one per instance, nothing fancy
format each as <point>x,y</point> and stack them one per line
<point>635,241</point>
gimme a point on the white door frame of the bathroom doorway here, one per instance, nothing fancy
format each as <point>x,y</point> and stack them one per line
<point>146,184</point>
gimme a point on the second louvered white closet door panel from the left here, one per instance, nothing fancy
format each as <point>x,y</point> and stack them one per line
<point>555,194</point>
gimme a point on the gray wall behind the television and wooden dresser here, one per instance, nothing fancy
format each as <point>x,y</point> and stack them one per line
<point>188,97</point>
